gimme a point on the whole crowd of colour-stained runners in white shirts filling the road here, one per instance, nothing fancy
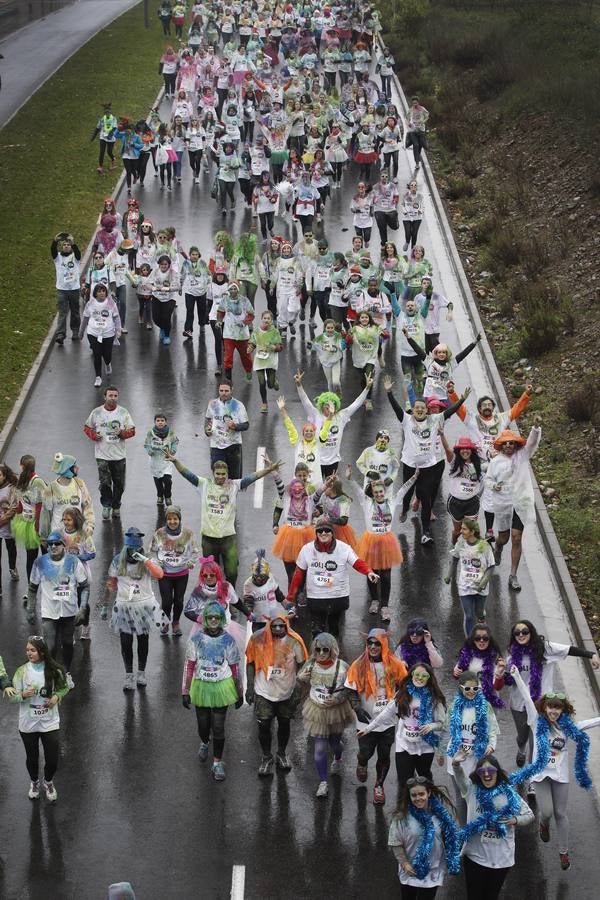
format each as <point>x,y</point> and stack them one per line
<point>277,105</point>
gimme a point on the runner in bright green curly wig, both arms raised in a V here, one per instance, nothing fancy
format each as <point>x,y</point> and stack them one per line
<point>330,420</point>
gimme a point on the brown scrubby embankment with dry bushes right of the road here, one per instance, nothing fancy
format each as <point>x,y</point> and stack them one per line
<point>514,97</point>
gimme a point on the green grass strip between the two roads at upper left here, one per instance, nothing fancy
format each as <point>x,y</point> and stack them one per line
<point>48,179</point>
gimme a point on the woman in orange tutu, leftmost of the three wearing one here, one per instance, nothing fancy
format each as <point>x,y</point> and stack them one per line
<point>292,517</point>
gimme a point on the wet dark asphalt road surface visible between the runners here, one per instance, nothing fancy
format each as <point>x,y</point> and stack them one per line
<point>134,802</point>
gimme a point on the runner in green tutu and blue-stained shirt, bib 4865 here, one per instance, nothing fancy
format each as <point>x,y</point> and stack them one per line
<point>212,682</point>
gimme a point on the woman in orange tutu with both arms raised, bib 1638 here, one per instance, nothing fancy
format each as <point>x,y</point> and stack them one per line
<point>378,545</point>
